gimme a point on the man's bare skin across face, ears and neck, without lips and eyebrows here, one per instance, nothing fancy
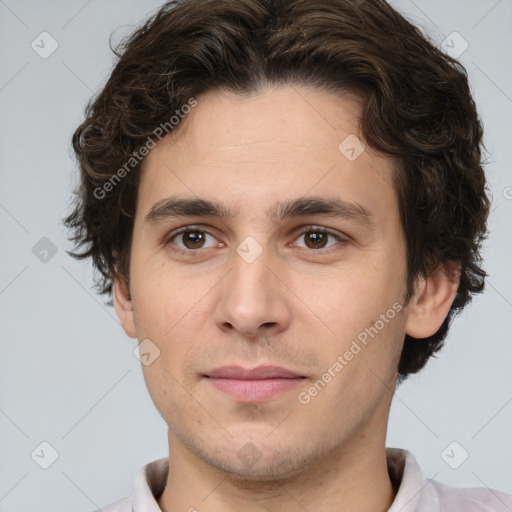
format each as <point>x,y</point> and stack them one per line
<point>294,306</point>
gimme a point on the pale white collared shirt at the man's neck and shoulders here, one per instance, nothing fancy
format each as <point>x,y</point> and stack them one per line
<point>415,493</point>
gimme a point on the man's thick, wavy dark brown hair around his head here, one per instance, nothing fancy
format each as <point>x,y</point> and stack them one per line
<point>417,108</point>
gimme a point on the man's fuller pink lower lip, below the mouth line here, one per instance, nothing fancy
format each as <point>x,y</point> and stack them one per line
<point>254,390</point>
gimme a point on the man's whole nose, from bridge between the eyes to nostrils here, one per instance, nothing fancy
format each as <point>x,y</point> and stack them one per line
<point>252,298</point>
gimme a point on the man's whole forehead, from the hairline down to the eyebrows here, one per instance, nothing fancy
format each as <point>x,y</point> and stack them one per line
<point>250,152</point>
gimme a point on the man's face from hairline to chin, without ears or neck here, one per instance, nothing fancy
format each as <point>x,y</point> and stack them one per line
<point>249,290</point>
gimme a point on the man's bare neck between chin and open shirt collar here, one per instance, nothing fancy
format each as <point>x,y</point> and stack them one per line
<point>351,478</point>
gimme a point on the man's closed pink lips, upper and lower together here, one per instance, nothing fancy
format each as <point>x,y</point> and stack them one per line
<point>253,385</point>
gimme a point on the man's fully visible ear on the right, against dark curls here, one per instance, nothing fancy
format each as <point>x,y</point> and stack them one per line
<point>432,300</point>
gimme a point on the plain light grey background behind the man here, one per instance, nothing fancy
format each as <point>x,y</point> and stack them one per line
<point>68,373</point>
